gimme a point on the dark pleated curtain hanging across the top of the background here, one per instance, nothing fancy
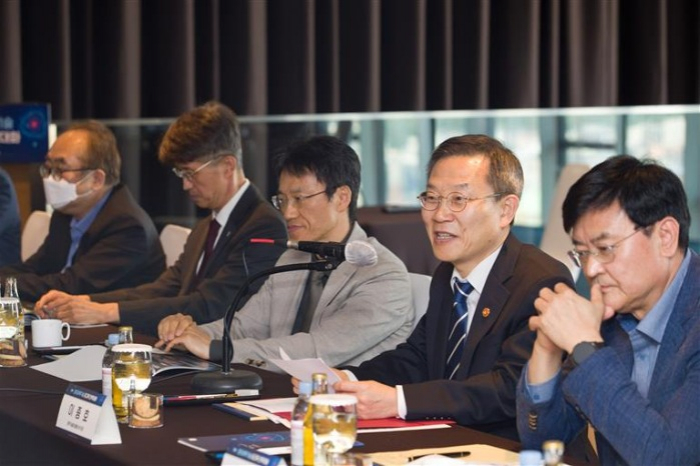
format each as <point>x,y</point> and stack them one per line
<point>157,58</point>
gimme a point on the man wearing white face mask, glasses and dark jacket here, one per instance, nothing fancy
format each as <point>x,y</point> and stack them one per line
<point>99,239</point>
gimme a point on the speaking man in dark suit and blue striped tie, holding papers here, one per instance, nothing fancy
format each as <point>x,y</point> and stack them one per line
<point>463,360</point>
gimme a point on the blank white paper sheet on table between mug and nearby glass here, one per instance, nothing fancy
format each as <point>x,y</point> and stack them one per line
<point>82,366</point>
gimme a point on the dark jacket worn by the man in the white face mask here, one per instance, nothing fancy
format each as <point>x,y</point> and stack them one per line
<point>121,248</point>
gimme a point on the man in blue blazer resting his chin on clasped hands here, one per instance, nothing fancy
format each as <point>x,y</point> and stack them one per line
<point>632,367</point>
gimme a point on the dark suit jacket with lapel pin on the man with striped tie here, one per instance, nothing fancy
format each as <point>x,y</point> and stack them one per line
<point>482,394</point>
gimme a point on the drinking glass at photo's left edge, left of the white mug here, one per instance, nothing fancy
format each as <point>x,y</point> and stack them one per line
<point>13,352</point>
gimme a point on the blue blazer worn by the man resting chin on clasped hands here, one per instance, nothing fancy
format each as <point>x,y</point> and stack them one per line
<point>662,429</point>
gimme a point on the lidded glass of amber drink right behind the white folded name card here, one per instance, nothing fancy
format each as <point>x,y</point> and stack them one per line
<point>131,374</point>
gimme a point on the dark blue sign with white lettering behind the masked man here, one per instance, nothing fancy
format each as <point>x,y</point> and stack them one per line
<point>24,132</point>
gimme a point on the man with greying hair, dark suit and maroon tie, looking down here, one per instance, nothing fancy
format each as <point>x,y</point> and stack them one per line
<point>204,147</point>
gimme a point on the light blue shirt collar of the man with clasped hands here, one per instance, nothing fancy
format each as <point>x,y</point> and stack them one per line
<point>654,323</point>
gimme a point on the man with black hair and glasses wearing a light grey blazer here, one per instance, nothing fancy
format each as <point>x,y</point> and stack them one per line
<point>344,316</point>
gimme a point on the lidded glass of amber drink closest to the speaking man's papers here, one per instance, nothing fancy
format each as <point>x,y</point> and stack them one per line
<point>334,421</point>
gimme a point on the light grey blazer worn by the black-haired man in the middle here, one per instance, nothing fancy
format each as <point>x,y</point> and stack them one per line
<point>362,311</point>
